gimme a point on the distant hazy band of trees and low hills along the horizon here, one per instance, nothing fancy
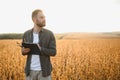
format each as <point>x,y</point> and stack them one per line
<point>69,35</point>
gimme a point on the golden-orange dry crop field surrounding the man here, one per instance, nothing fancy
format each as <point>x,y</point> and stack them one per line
<point>81,59</point>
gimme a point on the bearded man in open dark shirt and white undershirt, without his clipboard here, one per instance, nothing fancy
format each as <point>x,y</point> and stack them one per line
<point>38,66</point>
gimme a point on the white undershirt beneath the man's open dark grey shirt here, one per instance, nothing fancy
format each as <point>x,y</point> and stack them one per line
<point>35,60</point>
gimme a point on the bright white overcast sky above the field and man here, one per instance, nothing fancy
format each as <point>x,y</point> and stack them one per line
<point>61,15</point>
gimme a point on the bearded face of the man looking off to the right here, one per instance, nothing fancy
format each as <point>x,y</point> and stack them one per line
<point>40,20</point>
